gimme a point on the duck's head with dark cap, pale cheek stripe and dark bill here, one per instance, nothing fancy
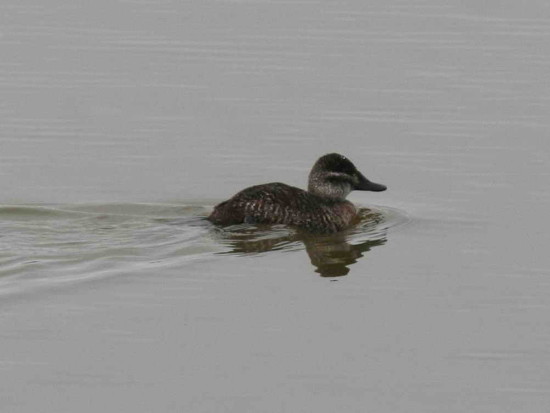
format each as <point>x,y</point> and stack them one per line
<point>335,176</point>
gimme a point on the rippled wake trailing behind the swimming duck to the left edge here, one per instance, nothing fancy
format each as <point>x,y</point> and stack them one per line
<point>63,243</point>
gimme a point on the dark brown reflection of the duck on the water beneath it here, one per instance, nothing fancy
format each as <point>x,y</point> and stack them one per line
<point>331,254</point>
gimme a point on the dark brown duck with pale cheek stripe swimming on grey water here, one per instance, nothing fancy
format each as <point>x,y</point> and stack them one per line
<point>323,208</point>
